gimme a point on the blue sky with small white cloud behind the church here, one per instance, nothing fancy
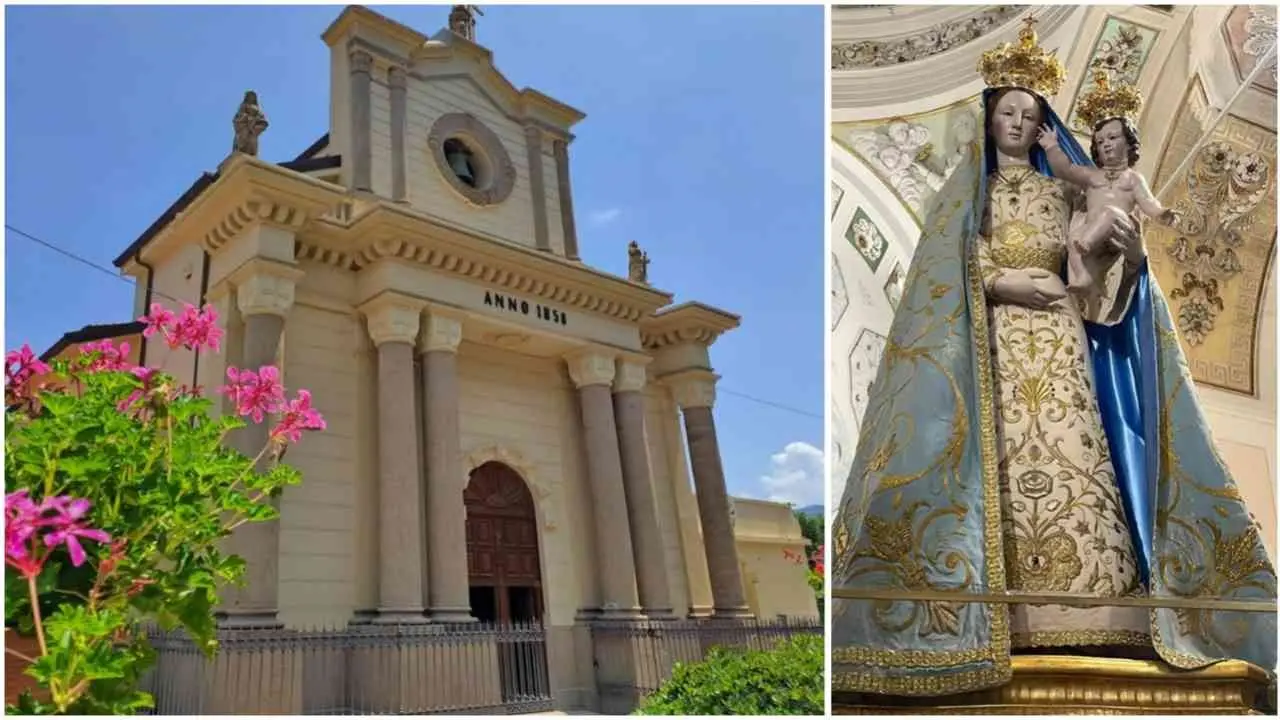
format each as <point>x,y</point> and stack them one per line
<point>703,142</point>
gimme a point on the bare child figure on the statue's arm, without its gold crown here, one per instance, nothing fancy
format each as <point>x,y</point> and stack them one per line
<point>1112,193</point>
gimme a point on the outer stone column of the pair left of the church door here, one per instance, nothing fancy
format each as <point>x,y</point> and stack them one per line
<point>394,323</point>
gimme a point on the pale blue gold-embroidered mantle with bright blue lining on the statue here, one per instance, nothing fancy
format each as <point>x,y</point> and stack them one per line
<point>921,511</point>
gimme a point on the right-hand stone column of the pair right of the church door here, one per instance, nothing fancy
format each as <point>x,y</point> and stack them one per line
<point>638,482</point>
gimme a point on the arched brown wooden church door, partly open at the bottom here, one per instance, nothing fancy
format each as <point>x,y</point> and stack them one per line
<point>502,548</point>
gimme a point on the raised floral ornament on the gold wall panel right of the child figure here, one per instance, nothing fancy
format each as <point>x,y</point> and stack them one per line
<point>1227,188</point>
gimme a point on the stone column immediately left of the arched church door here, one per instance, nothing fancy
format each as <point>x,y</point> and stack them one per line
<point>446,513</point>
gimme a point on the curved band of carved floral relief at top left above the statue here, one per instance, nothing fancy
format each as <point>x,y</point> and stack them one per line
<point>925,44</point>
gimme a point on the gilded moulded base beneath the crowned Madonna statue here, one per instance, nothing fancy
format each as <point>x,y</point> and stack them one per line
<point>1069,685</point>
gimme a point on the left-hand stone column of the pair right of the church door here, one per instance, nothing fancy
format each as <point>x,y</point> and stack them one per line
<point>593,375</point>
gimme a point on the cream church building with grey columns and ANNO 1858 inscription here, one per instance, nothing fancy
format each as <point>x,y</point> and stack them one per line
<point>514,438</point>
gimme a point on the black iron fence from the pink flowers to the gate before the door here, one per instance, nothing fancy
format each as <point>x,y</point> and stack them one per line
<point>356,671</point>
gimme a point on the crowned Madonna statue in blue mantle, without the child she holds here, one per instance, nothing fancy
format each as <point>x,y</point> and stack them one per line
<point>1020,440</point>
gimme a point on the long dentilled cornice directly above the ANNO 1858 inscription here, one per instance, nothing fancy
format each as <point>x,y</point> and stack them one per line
<point>394,231</point>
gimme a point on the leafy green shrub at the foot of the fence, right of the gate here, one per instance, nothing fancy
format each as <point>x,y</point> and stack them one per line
<point>784,681</point>
